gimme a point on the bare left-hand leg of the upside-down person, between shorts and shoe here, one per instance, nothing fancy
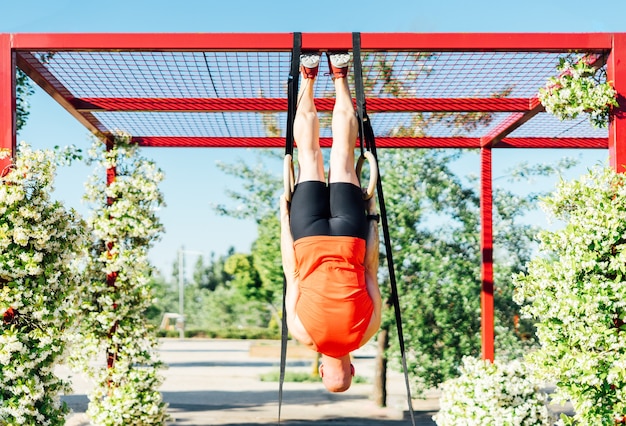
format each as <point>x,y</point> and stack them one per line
<point>306,130</point>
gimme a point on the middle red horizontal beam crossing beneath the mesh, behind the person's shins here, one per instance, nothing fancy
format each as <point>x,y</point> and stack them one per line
<point>280,104</point>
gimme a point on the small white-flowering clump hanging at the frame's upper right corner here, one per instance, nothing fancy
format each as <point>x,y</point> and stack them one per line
<point>579,88</point>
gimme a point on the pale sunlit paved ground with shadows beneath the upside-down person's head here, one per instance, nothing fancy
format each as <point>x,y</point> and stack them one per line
<point>216,382</point>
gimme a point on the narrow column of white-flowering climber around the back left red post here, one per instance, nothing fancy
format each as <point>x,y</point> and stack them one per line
<point>113,326</point>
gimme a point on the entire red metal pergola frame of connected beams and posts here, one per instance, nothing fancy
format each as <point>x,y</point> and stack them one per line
<point>21,49</point>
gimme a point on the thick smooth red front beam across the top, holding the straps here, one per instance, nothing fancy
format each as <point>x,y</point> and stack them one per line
<point>547,42</point>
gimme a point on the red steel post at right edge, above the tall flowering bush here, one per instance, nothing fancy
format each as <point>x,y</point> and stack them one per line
<point>616,72</point>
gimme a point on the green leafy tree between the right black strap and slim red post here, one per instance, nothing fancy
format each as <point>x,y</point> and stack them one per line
<point>433,224</point>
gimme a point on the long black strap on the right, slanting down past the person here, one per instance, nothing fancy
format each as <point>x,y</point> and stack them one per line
<point>367,140</point>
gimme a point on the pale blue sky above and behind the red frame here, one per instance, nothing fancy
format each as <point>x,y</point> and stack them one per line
<point>192,181</point>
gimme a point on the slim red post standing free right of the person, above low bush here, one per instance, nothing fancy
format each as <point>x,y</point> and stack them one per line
<point>486,243</point>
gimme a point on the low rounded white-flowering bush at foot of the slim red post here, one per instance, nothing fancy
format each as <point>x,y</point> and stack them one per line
<point>492,394</point>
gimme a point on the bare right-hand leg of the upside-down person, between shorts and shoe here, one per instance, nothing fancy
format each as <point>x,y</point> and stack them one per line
<point>344,126</point>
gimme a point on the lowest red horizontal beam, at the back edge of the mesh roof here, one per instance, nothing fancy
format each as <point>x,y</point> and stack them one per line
<point>381,142</point>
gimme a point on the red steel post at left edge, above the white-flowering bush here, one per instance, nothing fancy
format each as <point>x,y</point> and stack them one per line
<point>7,101</point>
